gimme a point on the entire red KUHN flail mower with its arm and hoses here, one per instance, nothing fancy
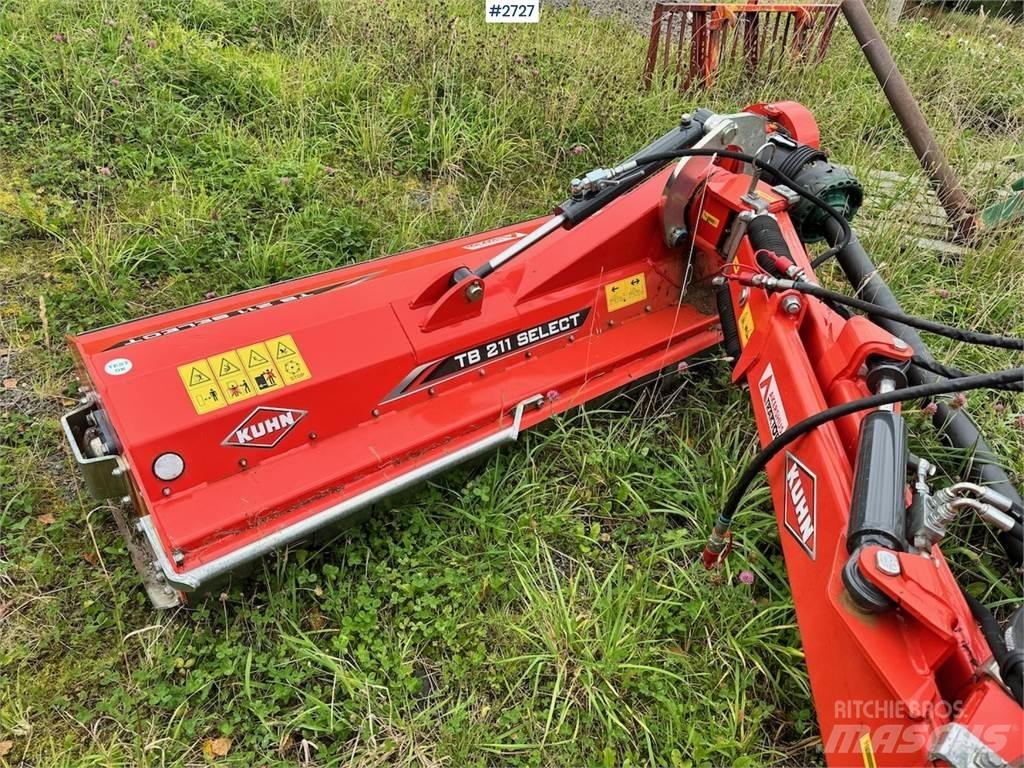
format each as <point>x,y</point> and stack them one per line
<point>235,428</point>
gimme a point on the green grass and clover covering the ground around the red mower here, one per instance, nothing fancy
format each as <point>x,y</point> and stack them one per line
<point>538,611</point>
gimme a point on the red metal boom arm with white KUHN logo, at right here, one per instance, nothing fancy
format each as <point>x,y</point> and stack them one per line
<point>888,687</point>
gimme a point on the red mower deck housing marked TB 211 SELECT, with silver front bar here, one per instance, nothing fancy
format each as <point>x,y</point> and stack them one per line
<point>248,422</point>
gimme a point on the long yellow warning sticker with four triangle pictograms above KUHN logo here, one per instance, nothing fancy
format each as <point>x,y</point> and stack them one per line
<point>240,374</point>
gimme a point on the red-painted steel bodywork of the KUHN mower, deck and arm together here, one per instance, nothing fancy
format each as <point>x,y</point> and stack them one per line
<point>369,415</point>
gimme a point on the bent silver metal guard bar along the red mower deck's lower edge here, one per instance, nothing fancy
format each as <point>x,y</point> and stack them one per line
<point>194,579</point>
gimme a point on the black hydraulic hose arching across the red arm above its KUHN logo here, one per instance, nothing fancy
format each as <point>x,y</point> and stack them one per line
<point>837,412</point>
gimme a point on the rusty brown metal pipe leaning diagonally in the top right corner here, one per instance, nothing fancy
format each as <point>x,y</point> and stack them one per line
<point>960,210</point>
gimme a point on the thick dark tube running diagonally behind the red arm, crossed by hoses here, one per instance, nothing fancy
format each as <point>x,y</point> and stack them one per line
<point>955,425</point>
